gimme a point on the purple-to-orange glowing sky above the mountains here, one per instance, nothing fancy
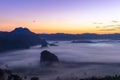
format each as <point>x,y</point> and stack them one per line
<point>61,16</point>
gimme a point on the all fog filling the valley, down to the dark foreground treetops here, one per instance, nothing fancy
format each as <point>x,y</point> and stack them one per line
<point>100,57</point>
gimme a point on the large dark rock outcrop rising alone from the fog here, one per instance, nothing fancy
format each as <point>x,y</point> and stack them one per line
<point>47,56</point>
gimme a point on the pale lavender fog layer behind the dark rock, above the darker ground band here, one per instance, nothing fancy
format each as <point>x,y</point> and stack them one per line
<point>105,52</point>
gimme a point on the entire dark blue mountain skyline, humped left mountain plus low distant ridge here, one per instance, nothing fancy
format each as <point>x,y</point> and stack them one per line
<point>22,38</point>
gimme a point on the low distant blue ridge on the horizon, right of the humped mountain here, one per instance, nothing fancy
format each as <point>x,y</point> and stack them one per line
<point>62,36</point>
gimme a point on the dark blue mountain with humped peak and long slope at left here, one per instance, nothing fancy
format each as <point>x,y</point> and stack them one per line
<point>20,38</point>
